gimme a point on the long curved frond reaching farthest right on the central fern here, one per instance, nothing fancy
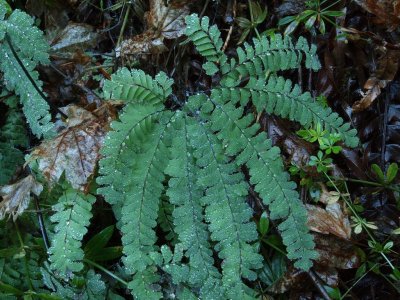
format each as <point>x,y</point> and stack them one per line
<point>280,97</point>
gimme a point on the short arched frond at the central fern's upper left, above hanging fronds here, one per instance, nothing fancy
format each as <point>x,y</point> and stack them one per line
<point>138,87</point>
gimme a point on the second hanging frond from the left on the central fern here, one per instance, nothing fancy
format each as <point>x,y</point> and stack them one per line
<point>139,212</point>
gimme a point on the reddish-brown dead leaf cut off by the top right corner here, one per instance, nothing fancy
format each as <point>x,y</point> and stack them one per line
<point>387,11</point>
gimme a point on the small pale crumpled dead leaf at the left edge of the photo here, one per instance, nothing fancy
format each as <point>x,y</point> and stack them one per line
<point>16,197</point>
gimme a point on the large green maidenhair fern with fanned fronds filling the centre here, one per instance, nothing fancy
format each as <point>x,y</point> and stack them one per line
<point>194,158</point>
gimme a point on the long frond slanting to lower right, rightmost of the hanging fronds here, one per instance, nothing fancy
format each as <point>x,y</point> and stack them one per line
<point>239,135</point>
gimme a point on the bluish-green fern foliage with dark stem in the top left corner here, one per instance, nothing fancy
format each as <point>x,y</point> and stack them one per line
<point>27,40</point>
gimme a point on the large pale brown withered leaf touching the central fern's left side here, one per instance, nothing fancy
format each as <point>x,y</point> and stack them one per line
<point>75,150</point>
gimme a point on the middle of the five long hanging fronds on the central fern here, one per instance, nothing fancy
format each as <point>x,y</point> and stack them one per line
<point>185,194</point>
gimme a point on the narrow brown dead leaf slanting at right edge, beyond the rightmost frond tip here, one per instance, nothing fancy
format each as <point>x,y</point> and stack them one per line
<point>388,65</point>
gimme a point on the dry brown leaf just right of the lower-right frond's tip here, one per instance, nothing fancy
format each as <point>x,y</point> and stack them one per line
<point>330,220</point>
